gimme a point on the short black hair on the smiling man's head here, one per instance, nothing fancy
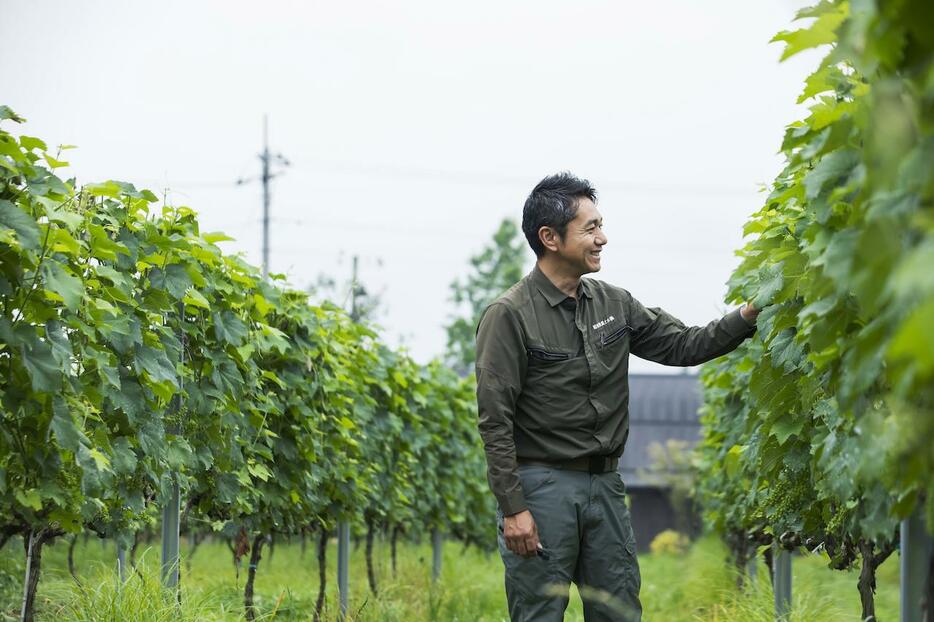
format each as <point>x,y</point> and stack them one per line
<point>553,203</point>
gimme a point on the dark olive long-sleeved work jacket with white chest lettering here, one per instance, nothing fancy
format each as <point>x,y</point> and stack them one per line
<point>552,371</point>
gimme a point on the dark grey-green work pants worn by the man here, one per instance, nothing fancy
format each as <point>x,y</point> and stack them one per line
<point>584,527</point>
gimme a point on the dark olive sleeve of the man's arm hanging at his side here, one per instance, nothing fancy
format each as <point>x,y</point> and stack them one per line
<point>501,368</point>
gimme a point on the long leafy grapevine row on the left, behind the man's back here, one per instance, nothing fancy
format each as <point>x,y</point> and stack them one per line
<point>135,354</point>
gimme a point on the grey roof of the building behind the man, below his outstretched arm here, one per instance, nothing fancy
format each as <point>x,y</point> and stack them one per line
<point>661,407</point>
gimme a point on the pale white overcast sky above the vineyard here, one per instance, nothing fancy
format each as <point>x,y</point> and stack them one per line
<point>414,127</point>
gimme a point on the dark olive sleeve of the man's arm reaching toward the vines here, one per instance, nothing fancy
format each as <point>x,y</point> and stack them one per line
<point>659,336</point>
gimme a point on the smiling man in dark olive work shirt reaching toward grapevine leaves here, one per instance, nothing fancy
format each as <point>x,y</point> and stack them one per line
<point>553,395</point>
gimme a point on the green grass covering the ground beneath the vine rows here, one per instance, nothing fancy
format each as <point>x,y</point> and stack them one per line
<point>697,586</point>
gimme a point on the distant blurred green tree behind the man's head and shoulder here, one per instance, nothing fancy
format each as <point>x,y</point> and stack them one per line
<point>494,270</point>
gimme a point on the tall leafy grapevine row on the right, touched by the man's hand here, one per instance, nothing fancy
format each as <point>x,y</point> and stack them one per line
<point>822,424</point>
